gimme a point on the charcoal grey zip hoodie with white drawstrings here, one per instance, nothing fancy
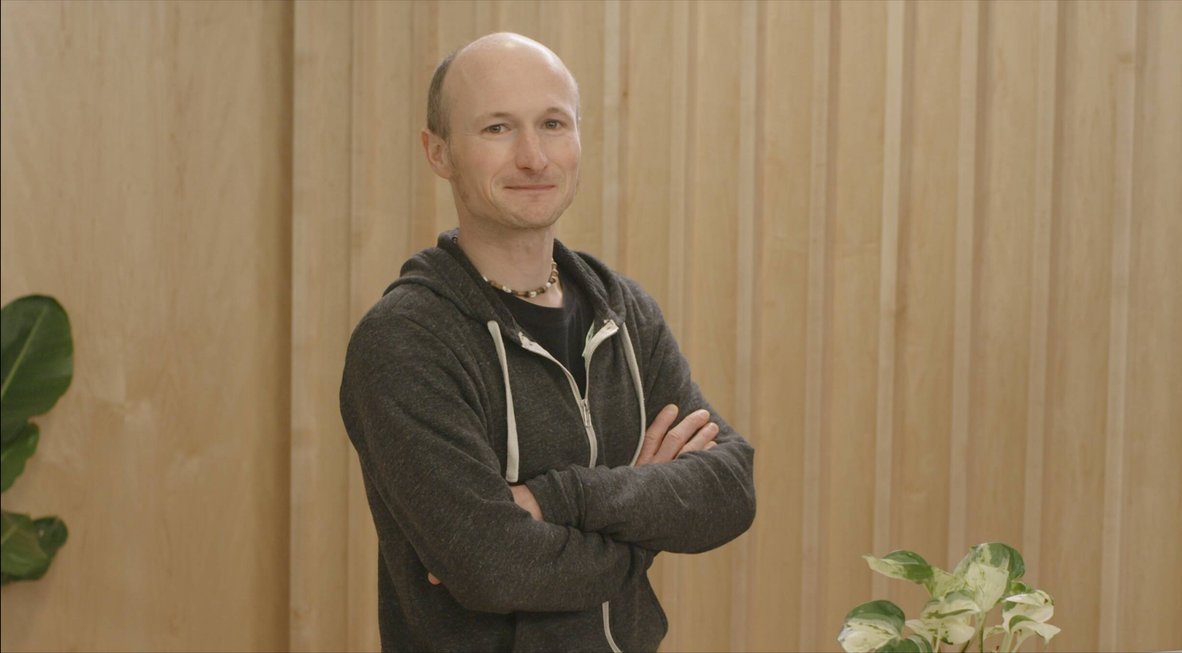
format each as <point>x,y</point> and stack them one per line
<point>449,403</point>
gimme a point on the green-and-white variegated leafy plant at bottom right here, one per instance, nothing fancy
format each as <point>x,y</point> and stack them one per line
<point>958,607</point>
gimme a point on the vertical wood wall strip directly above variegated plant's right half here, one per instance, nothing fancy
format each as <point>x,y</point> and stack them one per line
<point>1004,232</point>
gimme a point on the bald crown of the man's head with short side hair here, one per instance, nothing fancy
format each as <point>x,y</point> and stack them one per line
<point>482,61</point>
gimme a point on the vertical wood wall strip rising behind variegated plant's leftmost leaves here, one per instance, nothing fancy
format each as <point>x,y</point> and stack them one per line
<point>853,289</point>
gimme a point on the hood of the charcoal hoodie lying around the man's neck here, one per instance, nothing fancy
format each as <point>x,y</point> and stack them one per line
<point>446,271</point>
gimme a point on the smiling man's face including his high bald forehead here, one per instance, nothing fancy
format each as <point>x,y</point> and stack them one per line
<point>514,154</point>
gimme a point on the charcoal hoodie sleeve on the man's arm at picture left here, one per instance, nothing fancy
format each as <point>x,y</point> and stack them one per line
<point>411,410</point>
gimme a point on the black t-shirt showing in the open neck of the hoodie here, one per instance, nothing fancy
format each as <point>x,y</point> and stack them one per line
<point>562,332</point>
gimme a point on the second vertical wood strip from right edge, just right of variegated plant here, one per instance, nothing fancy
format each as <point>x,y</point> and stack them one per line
<point>1080,321</point>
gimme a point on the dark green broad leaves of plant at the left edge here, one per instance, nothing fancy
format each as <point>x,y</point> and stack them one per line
<point>36,367</point>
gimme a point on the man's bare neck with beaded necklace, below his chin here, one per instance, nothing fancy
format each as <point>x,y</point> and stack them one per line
<point>519,260</point>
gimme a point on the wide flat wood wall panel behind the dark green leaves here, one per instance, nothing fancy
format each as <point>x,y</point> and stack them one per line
<point>146,177</point>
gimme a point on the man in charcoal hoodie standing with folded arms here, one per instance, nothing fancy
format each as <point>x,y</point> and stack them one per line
<point>514,403</point>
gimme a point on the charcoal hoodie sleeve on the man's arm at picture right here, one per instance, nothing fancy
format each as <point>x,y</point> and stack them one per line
<point>694,503</point>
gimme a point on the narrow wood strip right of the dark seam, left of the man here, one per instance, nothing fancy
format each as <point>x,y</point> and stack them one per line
<point>321,279</point>
